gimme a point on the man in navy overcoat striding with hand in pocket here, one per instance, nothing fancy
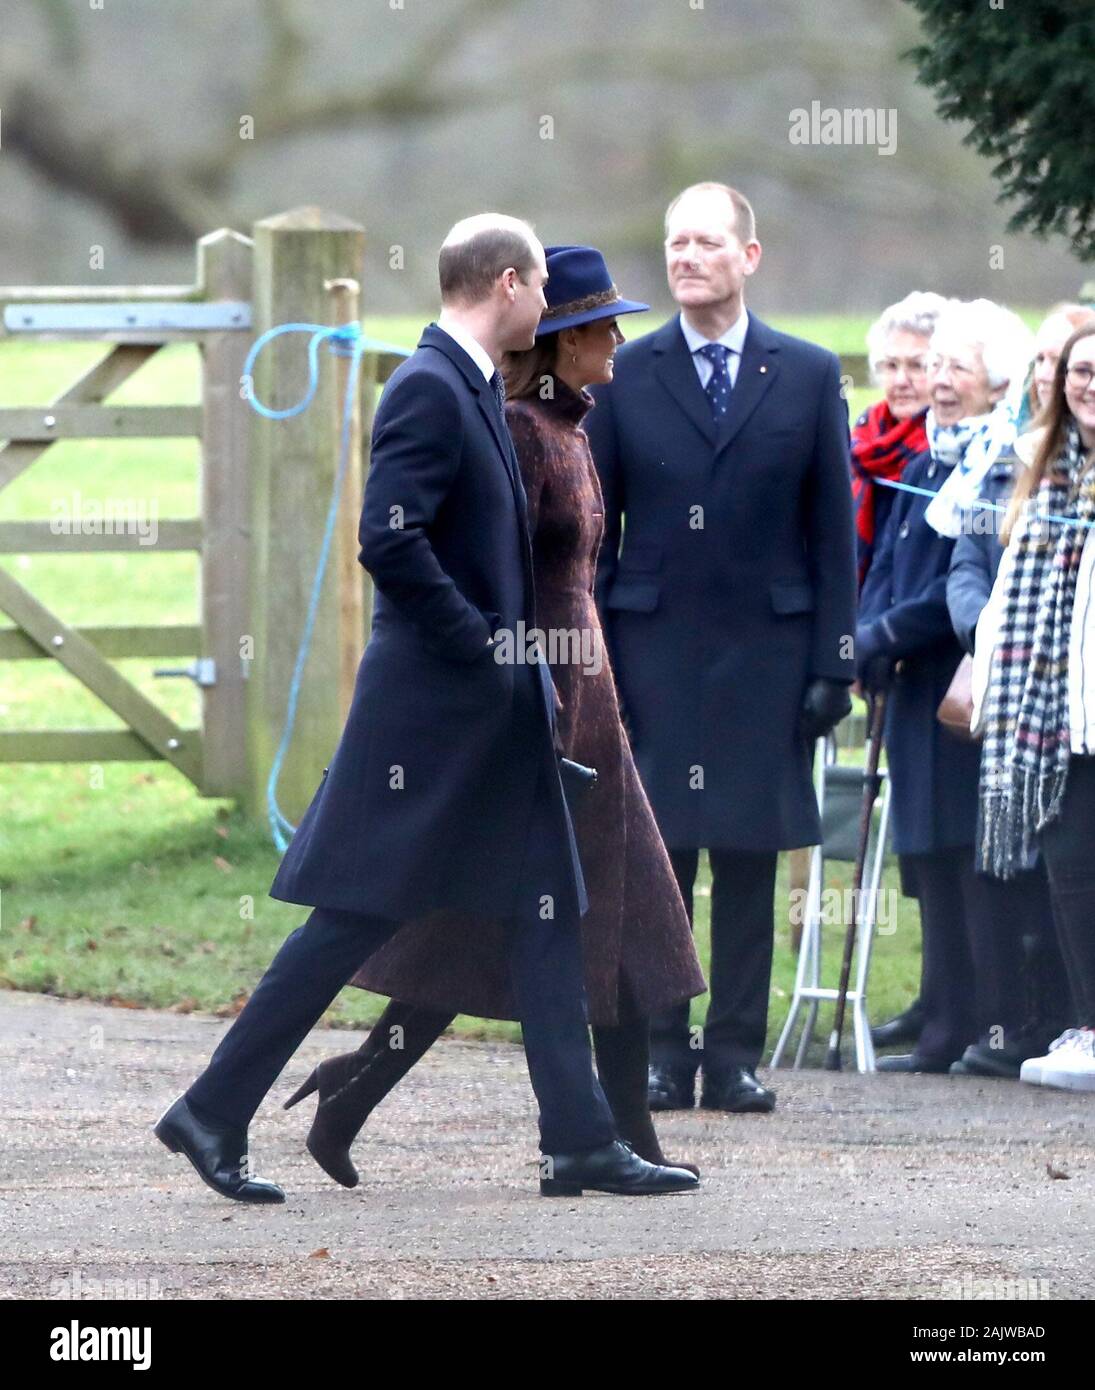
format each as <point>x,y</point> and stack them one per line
<point>445,789</point>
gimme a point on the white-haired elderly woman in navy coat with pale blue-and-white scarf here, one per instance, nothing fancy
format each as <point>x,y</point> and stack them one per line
<point>905,643</point>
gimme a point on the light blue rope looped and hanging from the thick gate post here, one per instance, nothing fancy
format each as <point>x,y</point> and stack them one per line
<point>345,341</point>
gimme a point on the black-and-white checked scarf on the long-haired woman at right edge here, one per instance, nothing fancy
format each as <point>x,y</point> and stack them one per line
<point>1025,757</point>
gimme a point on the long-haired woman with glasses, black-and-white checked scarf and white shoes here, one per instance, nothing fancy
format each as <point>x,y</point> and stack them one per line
<point>1037,698</point>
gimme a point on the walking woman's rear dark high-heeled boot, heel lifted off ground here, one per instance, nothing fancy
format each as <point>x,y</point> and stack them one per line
<point>354,1084</point>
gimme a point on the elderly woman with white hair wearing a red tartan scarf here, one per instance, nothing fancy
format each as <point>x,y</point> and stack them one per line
<point>891,433</point>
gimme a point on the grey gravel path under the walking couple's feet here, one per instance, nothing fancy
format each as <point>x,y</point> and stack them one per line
<point>857,1188</point>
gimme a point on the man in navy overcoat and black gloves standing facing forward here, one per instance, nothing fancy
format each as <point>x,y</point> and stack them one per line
<point>730,611</point>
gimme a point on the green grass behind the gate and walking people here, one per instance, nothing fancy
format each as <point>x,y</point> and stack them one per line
<point>119,882</point>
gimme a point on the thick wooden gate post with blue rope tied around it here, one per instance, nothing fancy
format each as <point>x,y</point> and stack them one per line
<point>294,471</point>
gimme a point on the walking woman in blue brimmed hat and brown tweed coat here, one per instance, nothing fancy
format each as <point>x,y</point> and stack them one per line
<point>637,942</point>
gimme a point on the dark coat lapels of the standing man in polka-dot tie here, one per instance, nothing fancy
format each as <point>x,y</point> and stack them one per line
<point>757,373</point>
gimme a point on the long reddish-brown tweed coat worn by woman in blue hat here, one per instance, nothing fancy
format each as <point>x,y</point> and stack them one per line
<point>637,926</point>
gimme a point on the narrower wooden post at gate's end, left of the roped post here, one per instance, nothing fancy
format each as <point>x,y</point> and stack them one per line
<point>224,272</point>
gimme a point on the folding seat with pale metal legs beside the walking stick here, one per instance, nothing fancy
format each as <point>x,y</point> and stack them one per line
<point>840,800</point>
